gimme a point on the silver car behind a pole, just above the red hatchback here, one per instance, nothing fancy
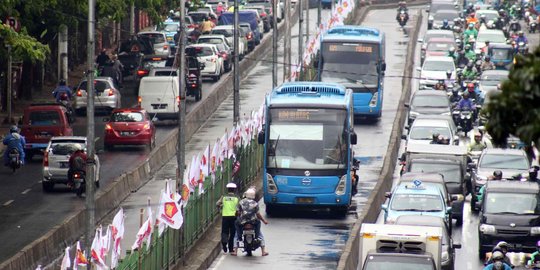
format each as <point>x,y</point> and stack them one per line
<point>106,95</point>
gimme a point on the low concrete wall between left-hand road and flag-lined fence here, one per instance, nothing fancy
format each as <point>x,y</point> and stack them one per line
<point>50,246</point>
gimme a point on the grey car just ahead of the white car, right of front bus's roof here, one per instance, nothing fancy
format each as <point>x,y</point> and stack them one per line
<point>428,102</point>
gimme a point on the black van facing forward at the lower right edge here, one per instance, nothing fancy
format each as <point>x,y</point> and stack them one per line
<point>510,212</point>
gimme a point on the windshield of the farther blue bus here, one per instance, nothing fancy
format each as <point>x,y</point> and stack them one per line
<point>348,63</point>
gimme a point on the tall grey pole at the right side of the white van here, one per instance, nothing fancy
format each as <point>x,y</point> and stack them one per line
<point>181,61</point>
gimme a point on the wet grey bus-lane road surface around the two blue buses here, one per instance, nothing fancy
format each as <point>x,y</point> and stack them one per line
<point>316,240</point>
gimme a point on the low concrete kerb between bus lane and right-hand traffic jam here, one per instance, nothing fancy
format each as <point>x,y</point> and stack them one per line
<point>350,258</point>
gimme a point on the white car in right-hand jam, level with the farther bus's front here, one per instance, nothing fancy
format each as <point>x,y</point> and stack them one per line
<point>434,69</point>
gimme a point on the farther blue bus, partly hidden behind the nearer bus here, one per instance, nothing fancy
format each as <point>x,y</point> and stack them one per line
<point>354,56</point>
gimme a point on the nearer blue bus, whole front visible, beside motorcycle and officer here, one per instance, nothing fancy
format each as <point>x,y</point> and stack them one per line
<point>307,139</point>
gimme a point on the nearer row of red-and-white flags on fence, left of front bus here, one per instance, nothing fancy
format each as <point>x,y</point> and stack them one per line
<point>170,208</point>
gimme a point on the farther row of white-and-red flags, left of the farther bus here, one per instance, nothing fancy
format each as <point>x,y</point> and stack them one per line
<point>339,13</point>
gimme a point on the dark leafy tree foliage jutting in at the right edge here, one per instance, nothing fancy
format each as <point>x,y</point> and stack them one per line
<point>516,110</point>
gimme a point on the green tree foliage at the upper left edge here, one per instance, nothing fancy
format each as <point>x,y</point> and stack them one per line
<point>24,47</point>
